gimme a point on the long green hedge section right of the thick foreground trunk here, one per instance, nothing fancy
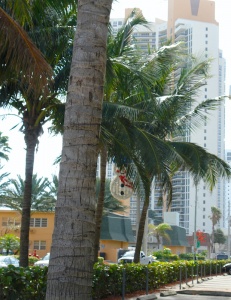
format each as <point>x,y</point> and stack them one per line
<point>107,280</point>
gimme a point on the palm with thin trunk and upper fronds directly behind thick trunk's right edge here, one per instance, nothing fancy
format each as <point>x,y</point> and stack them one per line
<point>119,48</point>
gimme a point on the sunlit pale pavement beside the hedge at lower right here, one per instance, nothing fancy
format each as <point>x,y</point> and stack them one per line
<point>208,288</point>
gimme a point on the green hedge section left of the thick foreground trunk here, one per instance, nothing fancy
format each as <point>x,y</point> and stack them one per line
<point>23,283</point>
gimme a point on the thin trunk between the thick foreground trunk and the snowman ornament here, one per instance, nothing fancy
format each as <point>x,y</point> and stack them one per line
<point>100,203</point>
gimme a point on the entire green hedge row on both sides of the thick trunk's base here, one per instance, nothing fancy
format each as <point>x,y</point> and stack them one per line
<point>30,283</point>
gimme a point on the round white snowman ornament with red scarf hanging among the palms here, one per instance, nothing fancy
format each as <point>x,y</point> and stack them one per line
<point>121,188</point>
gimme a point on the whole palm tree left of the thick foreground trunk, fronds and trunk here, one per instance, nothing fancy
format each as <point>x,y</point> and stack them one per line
<point>37,105</point>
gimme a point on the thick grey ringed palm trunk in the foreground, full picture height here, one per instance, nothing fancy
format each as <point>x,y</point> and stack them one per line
<point>72,253</point>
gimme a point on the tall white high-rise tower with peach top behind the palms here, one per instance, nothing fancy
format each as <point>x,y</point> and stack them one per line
<point>193,22</point>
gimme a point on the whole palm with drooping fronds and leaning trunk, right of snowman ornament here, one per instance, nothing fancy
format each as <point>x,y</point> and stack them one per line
<point>144,133</point>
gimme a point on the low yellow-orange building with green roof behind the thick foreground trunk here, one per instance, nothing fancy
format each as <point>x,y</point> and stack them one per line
<point>116,232</point>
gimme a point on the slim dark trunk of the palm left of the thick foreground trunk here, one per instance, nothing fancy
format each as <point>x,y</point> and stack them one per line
<point>31,139</point>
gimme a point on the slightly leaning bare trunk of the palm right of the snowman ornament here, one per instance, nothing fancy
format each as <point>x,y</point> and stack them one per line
<point>141,228</point>
